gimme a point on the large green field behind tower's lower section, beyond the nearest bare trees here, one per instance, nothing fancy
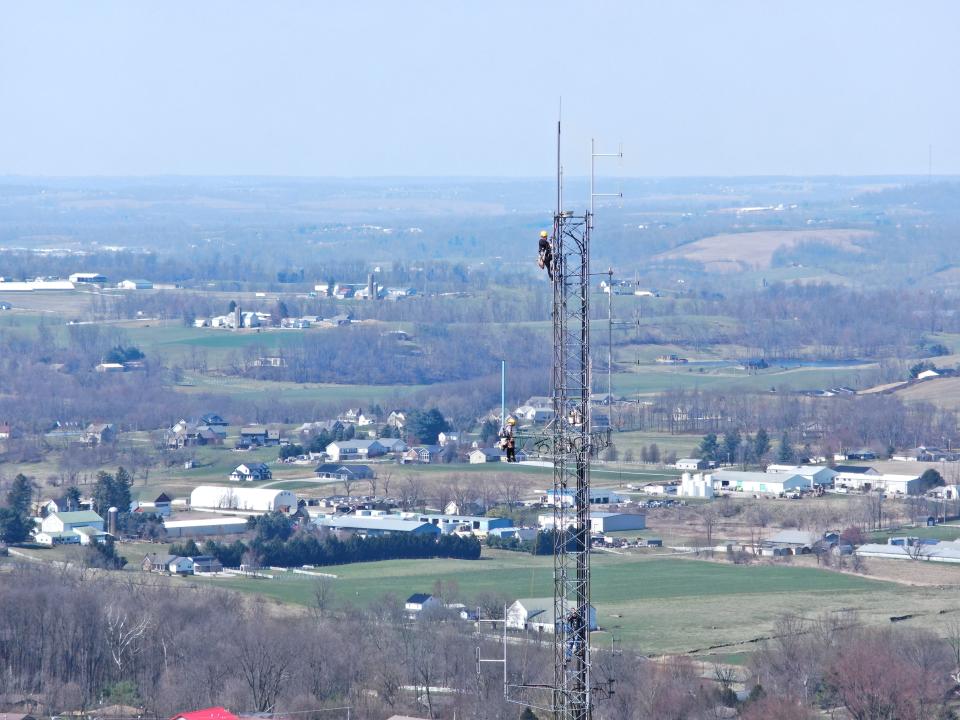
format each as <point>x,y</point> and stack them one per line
<point>657,604</point>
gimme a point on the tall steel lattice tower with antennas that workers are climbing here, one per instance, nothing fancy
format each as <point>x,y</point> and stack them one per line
<point>571,442</point>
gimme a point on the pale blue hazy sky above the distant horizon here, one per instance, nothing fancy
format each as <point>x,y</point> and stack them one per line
<point>355,88</point>
